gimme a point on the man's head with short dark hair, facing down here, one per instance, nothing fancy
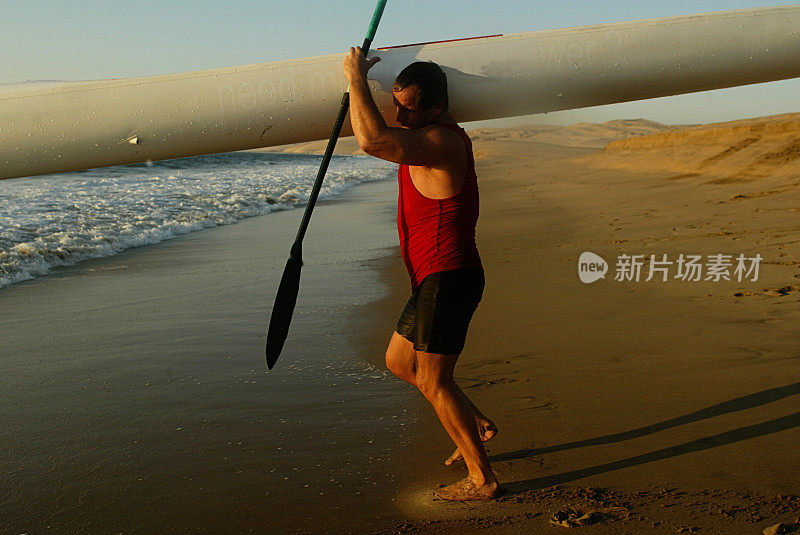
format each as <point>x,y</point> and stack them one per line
<point>420,94</point>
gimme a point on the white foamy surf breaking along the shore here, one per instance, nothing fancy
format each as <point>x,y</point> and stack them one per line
<point>59,220</point>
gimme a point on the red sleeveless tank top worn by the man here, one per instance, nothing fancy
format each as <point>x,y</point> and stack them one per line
<point>438,234</point>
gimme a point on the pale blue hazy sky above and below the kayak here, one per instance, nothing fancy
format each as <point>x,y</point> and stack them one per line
<point>92,39</point>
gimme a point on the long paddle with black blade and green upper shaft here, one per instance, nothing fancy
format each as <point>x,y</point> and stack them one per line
<point>290,283</point>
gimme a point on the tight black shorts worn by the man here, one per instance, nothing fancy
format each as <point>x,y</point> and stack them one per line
<point>437,315</point>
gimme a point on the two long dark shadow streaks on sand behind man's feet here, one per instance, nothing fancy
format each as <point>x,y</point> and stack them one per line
<point>721,439</point>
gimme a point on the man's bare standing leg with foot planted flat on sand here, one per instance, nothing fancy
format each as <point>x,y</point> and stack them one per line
<point>434,376</point>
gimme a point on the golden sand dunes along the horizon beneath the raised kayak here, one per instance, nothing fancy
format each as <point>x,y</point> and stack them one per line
<point>764,151</point>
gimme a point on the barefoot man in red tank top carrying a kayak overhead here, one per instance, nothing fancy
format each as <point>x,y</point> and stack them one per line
<point>437,213</point>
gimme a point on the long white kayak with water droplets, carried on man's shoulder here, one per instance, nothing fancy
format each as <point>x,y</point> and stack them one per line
<point>64,126</point>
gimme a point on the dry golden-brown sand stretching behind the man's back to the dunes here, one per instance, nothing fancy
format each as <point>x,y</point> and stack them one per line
<point>661,406</point>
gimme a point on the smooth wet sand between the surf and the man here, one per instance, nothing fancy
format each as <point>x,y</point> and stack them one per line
<point>136,397</point>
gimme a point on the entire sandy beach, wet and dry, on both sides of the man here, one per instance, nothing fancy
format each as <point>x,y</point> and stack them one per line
<point>661,406</point>
